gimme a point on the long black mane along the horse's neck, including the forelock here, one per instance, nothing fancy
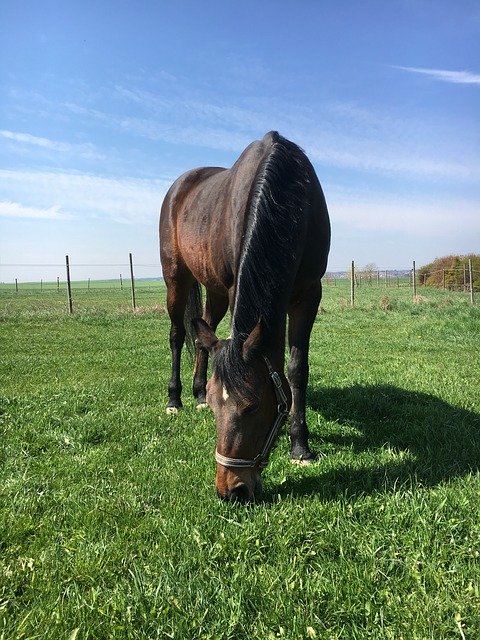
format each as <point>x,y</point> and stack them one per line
<point>268,256</point>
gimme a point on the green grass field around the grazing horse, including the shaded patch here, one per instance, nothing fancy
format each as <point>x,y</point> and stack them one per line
<point>109,523</point>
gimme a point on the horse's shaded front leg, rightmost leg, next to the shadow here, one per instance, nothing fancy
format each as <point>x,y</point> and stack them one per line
<point>301,318</point>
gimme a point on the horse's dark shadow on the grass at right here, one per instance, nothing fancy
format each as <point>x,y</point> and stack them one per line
<point>391,437</point>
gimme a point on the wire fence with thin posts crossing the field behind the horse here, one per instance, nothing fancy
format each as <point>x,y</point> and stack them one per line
<point>137,285</point>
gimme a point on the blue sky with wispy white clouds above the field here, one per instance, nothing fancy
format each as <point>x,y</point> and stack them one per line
<point>104,103</point>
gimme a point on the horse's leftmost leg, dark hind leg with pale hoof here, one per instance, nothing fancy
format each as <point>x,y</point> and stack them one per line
<point>177,295</point>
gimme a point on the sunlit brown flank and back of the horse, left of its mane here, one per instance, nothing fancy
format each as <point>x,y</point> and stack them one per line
<point>203,217</point>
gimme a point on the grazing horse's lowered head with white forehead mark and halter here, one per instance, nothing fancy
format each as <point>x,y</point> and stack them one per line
<point>250,401</point>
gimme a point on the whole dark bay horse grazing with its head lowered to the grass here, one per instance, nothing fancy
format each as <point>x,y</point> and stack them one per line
<point>257,237</point>
